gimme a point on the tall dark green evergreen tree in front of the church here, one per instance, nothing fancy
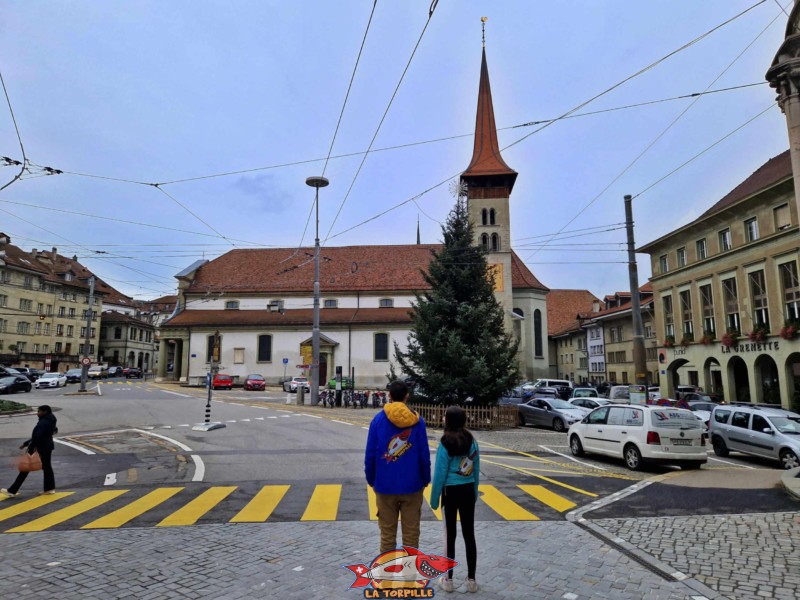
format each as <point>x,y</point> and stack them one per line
<point>458,347</point>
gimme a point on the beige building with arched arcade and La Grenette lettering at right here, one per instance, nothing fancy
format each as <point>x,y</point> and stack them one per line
<point>727,293</point>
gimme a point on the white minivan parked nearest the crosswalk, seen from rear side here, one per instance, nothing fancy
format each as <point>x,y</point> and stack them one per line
<point>641,433</point>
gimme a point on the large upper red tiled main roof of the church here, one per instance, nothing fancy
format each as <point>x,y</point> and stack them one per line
<point>342,269</point>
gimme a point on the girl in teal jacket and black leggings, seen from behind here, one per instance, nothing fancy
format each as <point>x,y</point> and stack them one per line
<point>455,481</point>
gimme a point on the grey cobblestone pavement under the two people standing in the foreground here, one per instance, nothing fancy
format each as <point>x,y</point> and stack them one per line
<point>542,560</point>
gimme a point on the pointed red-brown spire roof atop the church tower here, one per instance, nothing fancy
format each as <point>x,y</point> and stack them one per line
<point>486,158</point>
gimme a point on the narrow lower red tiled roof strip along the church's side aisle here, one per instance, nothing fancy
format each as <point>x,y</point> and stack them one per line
<point>293,317</point>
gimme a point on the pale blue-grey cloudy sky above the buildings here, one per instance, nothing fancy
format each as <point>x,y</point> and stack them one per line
<point>230,105</point>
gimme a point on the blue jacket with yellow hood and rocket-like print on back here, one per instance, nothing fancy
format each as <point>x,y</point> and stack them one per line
<point>397,459</point>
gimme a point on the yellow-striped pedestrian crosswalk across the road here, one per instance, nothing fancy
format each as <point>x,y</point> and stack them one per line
<point>178,506</point>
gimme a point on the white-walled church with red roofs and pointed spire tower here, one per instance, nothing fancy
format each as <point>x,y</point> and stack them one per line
<point>260,300</point>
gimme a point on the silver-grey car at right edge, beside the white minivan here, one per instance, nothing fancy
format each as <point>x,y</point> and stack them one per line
<point>772,433</point>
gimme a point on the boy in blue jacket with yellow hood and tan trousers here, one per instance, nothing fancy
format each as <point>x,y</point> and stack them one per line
<point>397,463</point>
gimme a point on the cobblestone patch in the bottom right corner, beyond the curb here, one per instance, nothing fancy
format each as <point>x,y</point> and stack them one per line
<point>739,556</point>
